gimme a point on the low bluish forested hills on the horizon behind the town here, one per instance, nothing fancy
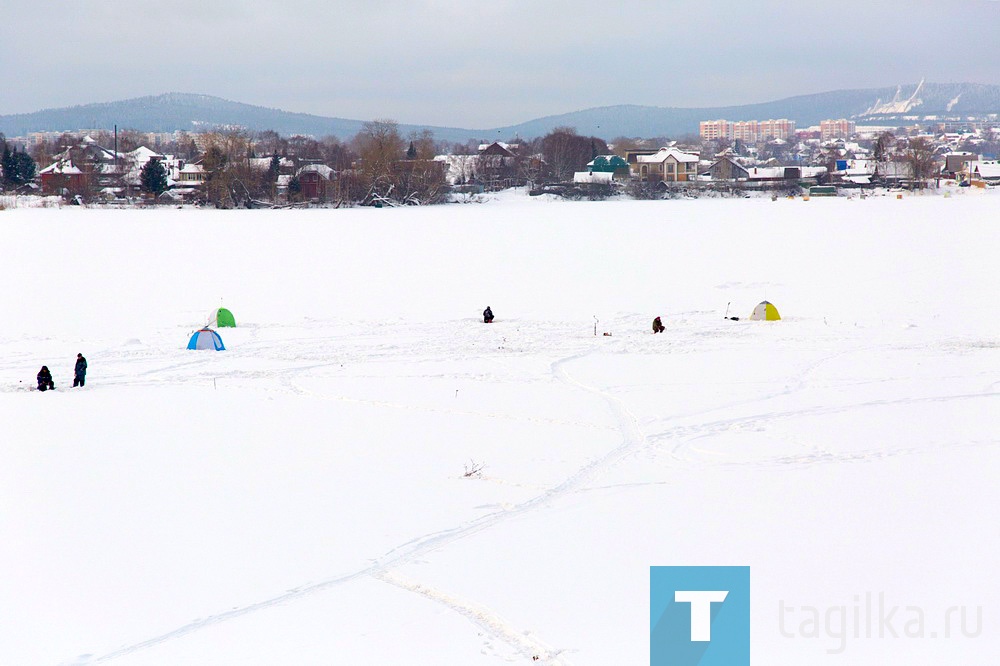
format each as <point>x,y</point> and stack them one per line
<point>181,111</point>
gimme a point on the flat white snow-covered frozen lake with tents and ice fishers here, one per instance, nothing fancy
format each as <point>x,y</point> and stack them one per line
<point>302,498</point>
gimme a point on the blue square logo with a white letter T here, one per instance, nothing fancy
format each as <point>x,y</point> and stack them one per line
<point>699,616</point>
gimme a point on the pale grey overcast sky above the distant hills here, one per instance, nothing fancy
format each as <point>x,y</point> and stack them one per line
<point>478,64</point>
